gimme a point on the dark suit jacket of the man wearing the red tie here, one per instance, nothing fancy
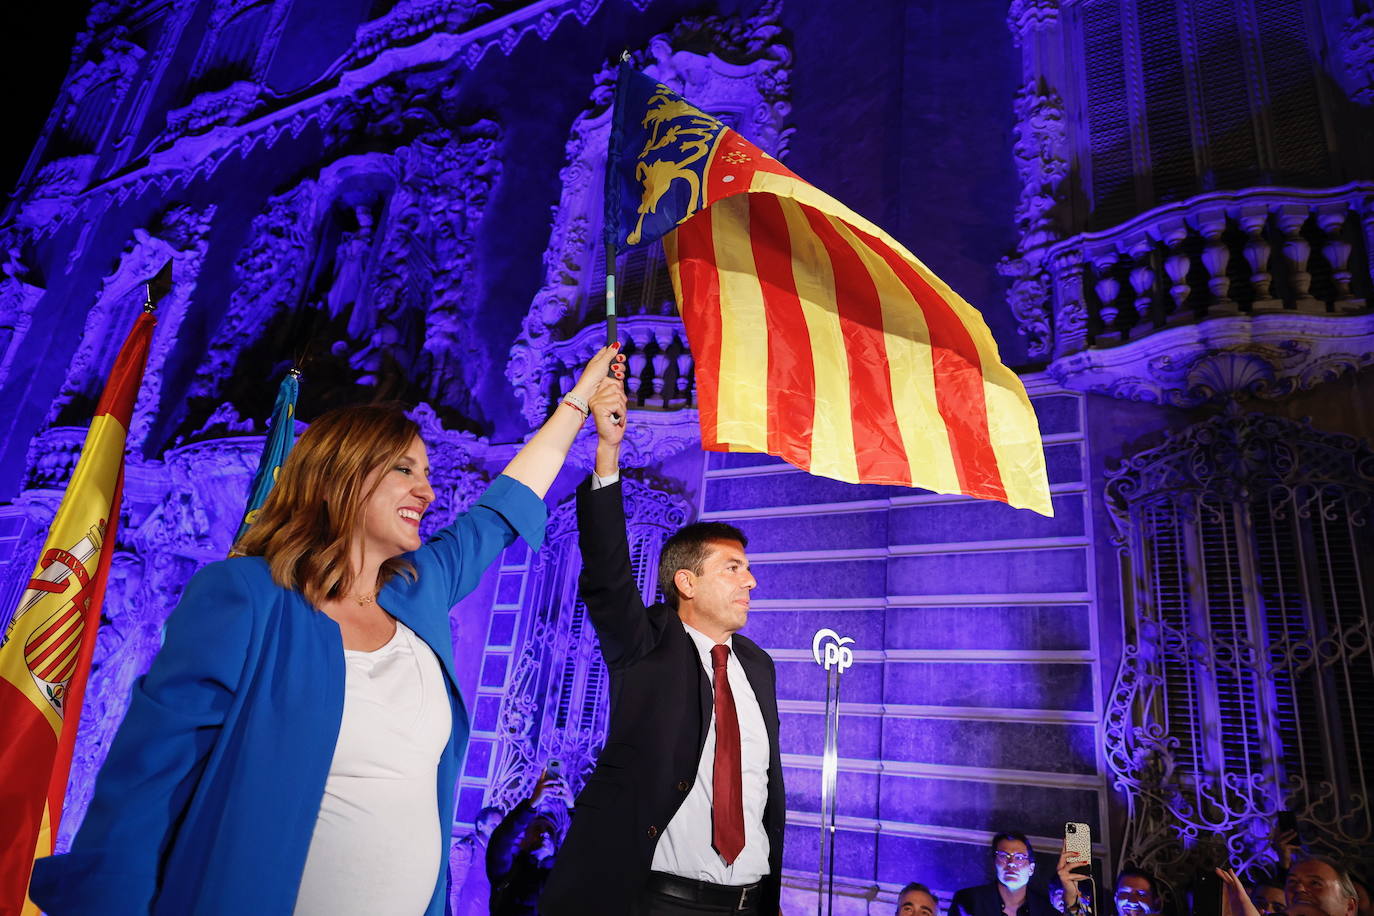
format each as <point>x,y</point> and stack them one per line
<point>660,712</point>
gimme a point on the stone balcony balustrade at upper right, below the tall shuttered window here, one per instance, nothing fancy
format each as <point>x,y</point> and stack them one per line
<point>1218,255</point>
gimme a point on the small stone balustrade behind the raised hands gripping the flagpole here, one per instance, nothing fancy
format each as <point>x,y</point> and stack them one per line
<point>660,370</point>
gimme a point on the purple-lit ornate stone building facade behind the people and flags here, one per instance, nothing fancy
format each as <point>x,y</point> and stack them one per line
<point>1171,237</point>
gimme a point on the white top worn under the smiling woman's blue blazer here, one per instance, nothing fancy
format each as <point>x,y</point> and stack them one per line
<point>377,847</point>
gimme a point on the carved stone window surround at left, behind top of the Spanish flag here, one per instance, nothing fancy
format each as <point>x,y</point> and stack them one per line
<point>181,236</point>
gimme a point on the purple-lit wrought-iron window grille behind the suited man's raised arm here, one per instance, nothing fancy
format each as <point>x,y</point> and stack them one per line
<point>557,704</point>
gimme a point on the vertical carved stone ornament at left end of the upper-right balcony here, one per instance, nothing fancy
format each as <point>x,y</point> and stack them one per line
<point>1042,154</point>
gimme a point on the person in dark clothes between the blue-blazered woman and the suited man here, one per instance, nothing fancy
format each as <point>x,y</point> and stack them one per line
<point>524,847</point>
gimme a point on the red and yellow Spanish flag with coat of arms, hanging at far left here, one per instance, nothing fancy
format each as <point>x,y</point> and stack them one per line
<point>50,639</point>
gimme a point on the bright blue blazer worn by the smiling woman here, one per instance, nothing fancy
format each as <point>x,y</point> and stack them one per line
<point>208,800</point>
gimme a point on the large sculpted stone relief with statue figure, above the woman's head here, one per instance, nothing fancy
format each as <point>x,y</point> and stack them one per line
<point>366,277</point>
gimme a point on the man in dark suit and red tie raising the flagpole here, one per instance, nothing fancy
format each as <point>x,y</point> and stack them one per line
<point>685,811</point>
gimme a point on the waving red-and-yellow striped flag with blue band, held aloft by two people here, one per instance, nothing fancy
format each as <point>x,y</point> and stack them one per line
<point>817,336</point>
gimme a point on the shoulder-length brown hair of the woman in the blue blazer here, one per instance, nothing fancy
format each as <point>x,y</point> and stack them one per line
<point>306,527</point>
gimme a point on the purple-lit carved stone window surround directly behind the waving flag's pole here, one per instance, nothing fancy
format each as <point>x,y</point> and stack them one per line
<point>745,78</point>
